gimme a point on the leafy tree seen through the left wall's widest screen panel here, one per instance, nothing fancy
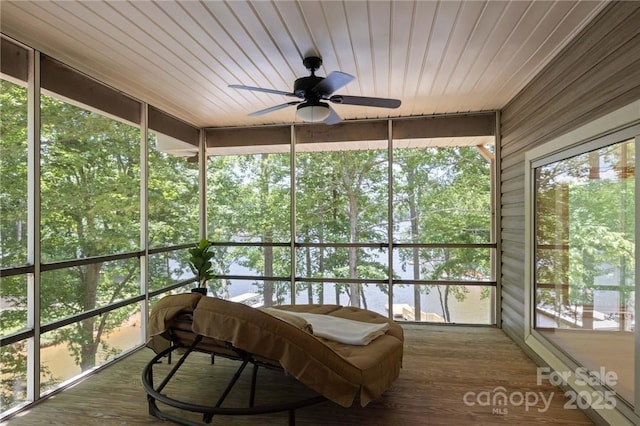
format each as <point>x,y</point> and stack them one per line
<point>90,186</point>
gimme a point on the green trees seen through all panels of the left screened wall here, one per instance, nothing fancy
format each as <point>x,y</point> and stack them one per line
<point>90,206</point>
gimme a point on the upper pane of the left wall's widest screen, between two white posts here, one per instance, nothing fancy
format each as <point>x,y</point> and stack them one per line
<point>90,183</point>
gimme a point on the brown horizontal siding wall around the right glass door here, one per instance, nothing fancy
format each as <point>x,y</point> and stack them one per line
<point>597,73</point>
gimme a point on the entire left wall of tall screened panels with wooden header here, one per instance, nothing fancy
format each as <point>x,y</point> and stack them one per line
<point>73,221</point>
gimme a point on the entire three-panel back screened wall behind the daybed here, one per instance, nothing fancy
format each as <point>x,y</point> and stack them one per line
<point>412,233</point>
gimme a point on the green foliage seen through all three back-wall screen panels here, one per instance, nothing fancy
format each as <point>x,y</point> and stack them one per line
<point>341,197</point>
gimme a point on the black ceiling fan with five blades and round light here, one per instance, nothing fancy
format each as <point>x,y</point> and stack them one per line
<point>313,90</point>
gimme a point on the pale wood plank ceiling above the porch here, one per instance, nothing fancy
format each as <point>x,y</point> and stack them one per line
<point>180,56</point>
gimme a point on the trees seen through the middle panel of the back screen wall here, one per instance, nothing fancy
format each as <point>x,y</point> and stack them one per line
<point>342,198</point>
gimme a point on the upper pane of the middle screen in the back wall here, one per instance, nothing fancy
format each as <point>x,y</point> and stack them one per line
<point>341,195</point>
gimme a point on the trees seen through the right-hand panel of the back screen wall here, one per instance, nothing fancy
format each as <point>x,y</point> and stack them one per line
<point>445,198</point>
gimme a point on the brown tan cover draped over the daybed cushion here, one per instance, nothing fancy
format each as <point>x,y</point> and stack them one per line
<point>334,370</point>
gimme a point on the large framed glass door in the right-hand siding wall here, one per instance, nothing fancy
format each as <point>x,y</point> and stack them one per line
<point>583,292</point>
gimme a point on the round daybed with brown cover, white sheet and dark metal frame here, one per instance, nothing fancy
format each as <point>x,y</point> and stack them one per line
<point>279,337</point>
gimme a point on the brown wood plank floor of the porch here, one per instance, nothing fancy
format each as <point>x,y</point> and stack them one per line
<point>444,366</point>
